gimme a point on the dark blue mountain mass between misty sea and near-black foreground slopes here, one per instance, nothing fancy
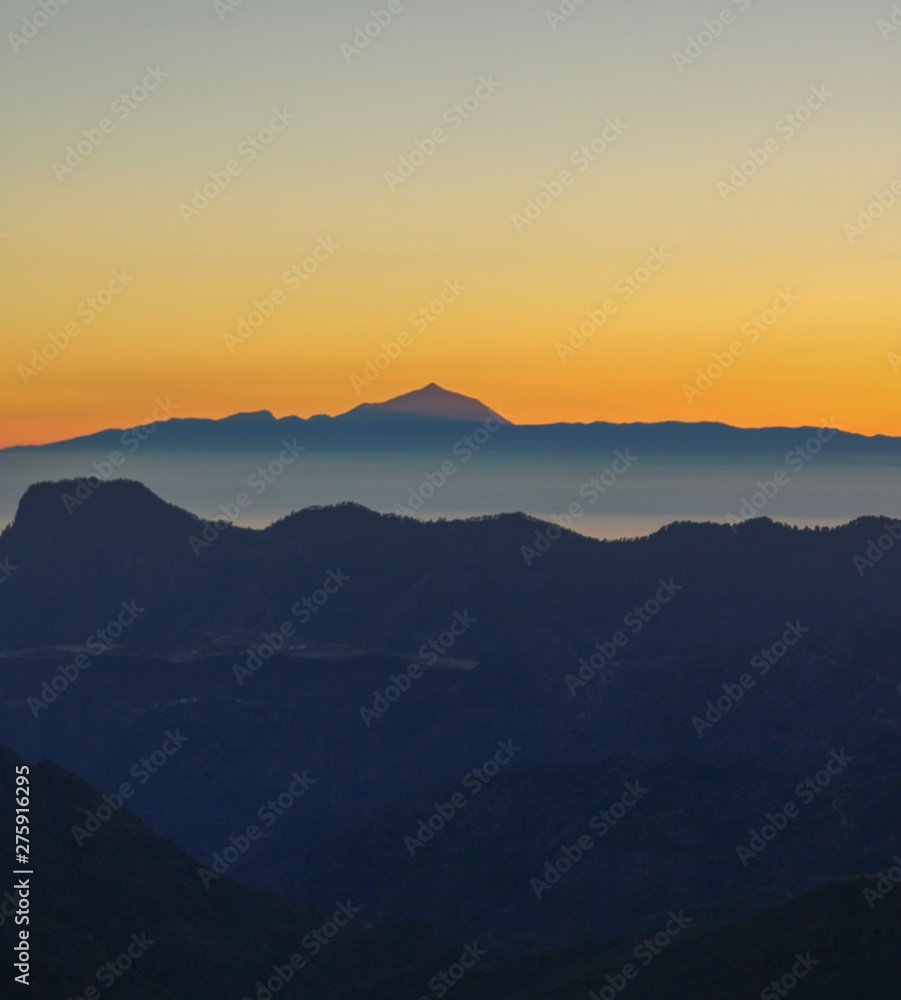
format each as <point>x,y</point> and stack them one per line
<point>534,658</point>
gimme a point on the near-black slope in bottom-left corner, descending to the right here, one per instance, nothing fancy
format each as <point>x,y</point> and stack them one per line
<point>127,888</point>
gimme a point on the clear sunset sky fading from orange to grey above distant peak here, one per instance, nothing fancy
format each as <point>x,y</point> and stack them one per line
<point>627,211</point>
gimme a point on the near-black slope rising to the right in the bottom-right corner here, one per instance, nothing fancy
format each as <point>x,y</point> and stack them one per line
<point>826,945</point>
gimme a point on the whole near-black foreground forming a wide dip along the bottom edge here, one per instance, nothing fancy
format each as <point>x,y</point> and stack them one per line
<point>134,916</point>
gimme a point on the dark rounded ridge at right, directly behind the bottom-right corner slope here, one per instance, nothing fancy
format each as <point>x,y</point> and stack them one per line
<point>485,871</point>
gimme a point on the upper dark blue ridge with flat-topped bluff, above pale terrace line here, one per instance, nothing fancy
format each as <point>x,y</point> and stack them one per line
<point>74,555</point>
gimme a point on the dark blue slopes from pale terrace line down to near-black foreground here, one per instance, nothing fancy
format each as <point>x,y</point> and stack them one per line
<point>376,783</point>
